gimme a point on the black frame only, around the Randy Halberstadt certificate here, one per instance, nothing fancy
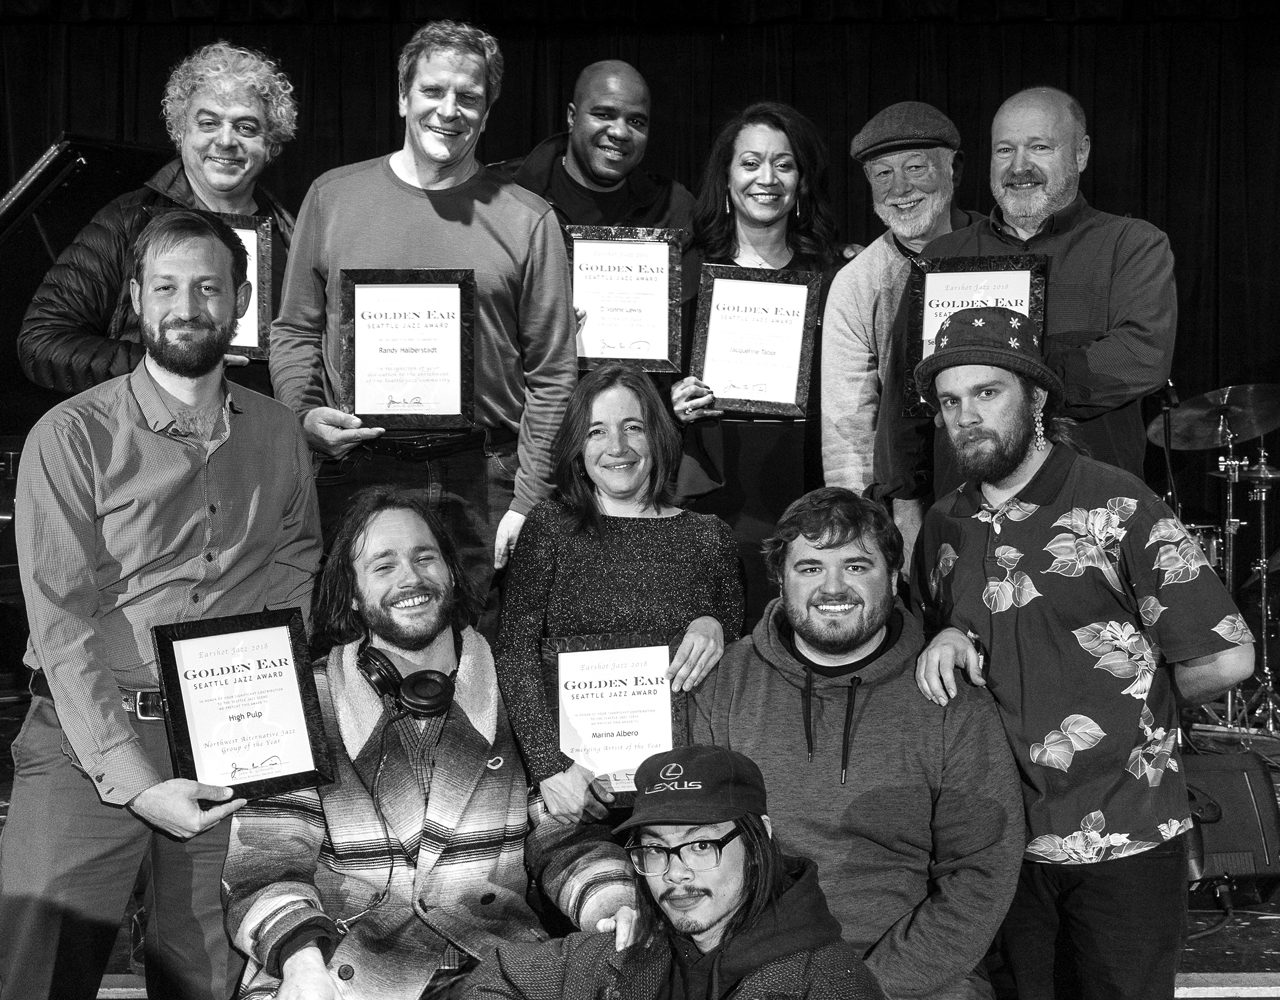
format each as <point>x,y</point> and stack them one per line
<point>467,281</point>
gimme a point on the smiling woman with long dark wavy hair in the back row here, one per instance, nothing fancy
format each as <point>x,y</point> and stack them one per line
<point>764,204</point>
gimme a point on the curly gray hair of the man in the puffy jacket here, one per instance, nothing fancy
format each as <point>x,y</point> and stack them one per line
<point>227,70</point>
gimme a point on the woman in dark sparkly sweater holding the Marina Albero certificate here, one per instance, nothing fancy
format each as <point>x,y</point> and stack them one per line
<point>610,554</point>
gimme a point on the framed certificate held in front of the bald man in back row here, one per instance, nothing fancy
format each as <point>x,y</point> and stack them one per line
<point>629,284</point>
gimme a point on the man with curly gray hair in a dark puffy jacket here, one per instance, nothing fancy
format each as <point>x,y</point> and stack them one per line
<point>228,112</point>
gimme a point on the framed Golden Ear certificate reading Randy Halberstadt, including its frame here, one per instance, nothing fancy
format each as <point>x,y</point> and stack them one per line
<point>408,348</point>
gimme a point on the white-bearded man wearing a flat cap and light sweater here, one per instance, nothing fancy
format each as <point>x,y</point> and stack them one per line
<point>911,154</point>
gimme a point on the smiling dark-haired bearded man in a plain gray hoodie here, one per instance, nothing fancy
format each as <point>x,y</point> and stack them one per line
<point>912,812</point>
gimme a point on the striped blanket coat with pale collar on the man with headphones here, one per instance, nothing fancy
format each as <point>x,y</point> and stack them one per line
<point>458,876</point>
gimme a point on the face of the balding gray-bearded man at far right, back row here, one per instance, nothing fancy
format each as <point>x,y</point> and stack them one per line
<point>1037,156</point>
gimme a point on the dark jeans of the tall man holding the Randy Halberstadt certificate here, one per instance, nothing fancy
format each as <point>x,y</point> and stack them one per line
<point>470,490</point>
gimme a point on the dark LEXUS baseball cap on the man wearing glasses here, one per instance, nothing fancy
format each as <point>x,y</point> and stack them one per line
<point>697,786</point>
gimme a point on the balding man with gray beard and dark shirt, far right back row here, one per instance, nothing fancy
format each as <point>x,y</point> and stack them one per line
<point>1110,304</point>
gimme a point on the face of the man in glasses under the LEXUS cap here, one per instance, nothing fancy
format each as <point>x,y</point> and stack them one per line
<point>700,905</point>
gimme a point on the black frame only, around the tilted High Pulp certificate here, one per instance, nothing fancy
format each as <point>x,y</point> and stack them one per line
<point>163,638</point>
